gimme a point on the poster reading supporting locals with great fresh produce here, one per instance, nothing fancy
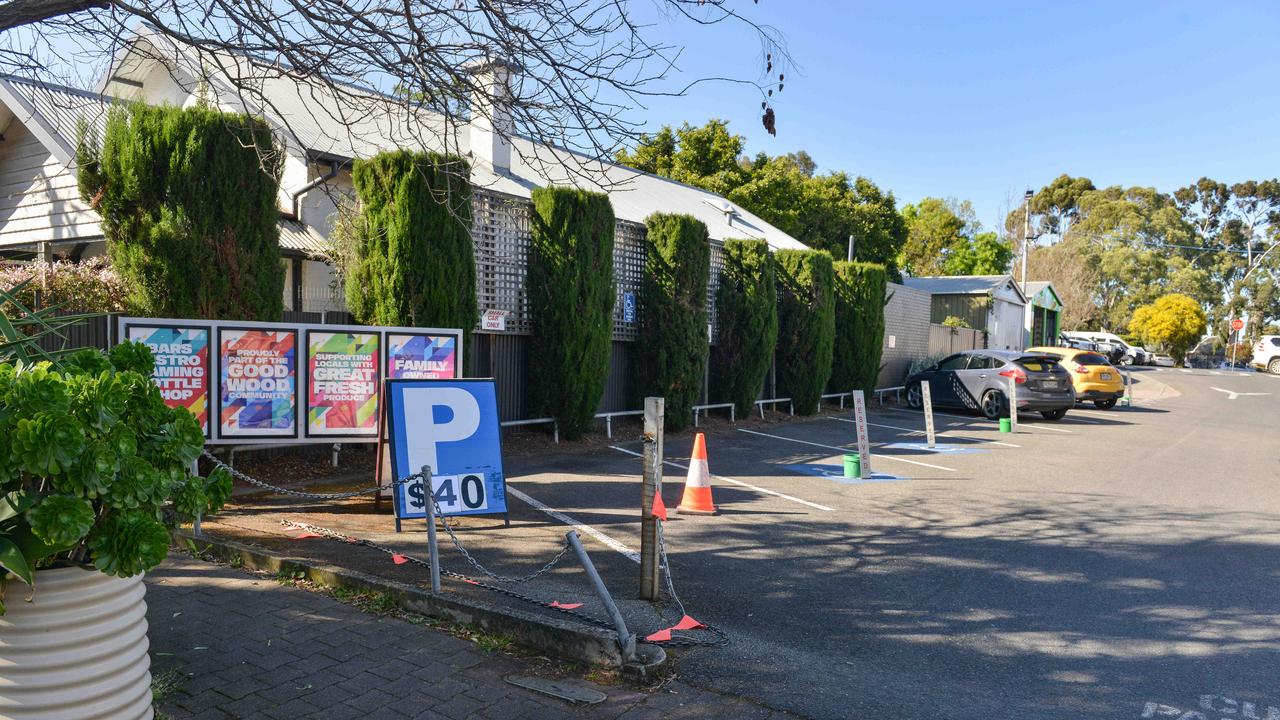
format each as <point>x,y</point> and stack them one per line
<point>342,384</point>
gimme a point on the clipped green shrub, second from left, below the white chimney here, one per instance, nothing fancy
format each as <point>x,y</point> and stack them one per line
<point>413,262</point>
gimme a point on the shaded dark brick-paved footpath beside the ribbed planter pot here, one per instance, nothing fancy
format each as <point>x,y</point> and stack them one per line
<point>246,646</point>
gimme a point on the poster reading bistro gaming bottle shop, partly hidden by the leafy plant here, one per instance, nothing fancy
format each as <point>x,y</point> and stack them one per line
<point>182,367</point>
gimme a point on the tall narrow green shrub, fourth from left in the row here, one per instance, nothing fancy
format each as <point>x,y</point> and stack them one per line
<point>671,357</point>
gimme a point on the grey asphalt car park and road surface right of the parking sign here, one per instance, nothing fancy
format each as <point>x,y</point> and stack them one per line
<point>1117,564</point>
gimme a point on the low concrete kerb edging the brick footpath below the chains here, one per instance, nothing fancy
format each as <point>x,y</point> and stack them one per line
<point>555,637</point>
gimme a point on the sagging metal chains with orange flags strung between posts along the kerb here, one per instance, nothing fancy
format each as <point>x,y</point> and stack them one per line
<point>720,637</point>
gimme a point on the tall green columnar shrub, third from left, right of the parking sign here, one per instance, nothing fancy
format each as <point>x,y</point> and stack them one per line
<point>572,303</point>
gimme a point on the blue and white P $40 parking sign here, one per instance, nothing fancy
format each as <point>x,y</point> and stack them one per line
<point>452,427</point>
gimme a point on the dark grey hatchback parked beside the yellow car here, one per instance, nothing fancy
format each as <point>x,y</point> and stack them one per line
<point>979,380</point>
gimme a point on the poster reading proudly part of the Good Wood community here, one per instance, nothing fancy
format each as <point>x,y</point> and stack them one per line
<point>259,382</point>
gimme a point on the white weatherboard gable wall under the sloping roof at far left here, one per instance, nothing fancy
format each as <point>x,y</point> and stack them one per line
<point>39,198</point>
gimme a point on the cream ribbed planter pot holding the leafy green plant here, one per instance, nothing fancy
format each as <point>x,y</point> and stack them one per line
<point>79,651</point>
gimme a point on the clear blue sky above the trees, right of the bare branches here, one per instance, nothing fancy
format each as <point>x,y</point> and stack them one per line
<point>982,101</point>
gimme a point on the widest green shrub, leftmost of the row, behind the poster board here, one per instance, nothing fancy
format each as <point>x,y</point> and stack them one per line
<point>189,206</point>
